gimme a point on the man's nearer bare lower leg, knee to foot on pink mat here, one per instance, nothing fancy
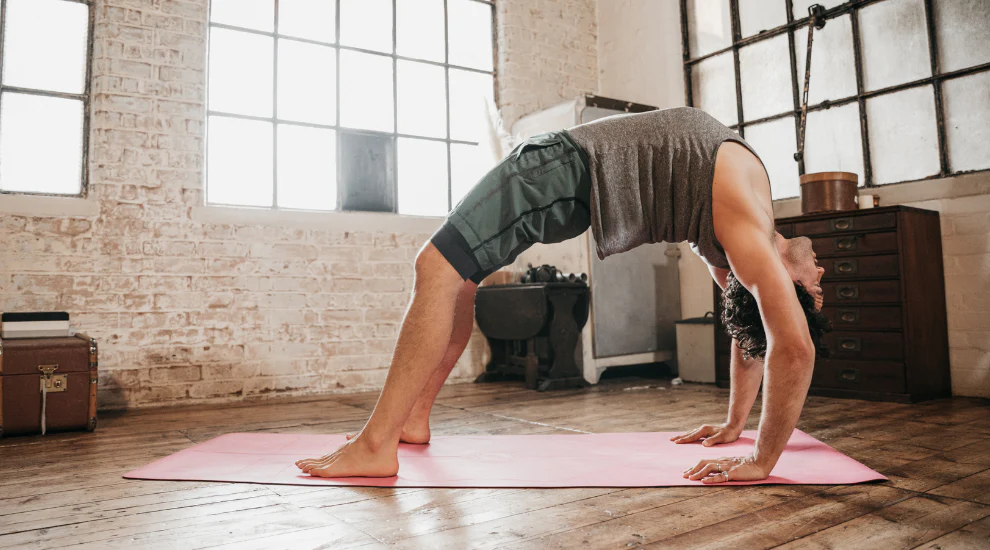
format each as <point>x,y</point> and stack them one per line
<point>423,341</point>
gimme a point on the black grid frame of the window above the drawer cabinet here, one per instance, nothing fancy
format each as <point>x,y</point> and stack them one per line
<point>851,7</point>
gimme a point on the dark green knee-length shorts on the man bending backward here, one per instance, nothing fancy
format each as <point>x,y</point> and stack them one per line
<point>538,194</point>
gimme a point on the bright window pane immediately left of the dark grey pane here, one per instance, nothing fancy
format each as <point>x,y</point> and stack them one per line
<point>307,167</point>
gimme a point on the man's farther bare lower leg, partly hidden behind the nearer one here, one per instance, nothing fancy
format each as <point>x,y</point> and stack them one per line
<point>417,428</point>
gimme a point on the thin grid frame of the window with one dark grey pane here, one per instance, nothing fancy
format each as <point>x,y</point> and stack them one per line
<point>392,136</point>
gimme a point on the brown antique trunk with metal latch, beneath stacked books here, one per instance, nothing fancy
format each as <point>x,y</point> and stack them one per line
<point>47,385</point>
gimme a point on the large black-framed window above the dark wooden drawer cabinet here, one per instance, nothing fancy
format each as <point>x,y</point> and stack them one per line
<point>900,89</point>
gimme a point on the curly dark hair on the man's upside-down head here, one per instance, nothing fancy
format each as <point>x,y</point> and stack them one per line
<point>741,318</point>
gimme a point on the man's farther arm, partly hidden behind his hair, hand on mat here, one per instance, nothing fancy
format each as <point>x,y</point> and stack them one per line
<point>745,376</point>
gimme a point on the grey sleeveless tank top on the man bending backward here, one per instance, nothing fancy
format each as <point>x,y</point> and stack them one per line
<point>651,177</point>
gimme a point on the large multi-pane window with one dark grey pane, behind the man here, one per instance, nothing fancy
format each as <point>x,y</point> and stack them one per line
<point>374,105</point>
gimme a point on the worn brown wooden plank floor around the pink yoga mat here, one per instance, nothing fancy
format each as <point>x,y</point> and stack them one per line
<point>66,489</point>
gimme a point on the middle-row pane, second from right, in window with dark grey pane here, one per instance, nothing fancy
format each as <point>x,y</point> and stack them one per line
<point>422,99</point>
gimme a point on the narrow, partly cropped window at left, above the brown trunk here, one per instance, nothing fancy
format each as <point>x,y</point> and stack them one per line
<point>44,95</point>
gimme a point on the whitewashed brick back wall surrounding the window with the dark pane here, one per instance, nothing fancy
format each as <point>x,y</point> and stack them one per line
<point>210,312</point>
